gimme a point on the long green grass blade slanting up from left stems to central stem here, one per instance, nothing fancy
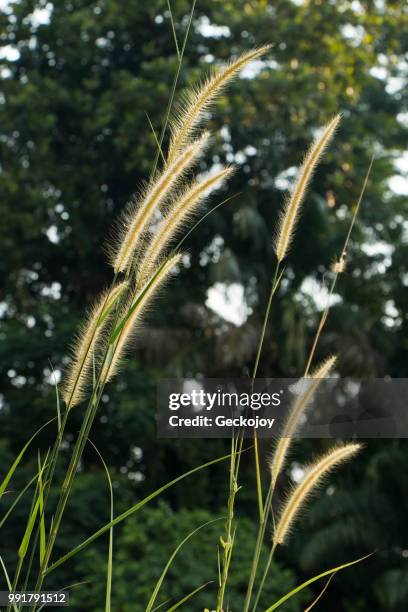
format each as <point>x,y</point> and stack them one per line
<point>131,511</point>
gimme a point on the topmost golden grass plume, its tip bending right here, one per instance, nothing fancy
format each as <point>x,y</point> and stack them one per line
<point>198,101</point>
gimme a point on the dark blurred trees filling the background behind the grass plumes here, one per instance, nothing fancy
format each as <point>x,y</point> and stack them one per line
<point>78,80</point>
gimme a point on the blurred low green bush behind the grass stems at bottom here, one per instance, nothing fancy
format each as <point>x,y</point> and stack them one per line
<point>141,551</point>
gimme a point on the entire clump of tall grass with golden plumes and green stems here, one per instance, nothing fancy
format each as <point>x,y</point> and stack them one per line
<point>144,254</point>
